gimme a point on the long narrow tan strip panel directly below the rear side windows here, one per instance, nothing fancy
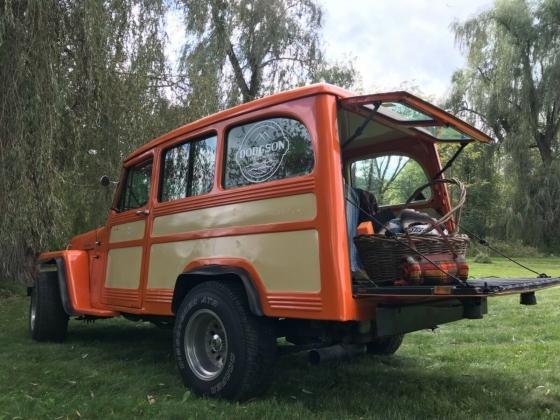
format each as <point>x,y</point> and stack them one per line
<point>271,210</point>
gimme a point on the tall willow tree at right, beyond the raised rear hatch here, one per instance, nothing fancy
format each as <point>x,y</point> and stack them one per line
<point>511,87</point>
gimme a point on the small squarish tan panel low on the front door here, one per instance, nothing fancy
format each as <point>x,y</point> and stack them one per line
<point>123,267</point>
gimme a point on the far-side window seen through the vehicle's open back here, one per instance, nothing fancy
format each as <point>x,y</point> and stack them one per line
<point>391,178</point>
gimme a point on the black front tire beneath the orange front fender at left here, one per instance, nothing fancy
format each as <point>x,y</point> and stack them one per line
<point>47,319</point>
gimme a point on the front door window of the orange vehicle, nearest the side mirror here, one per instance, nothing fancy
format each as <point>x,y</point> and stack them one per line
<point>136,191</point>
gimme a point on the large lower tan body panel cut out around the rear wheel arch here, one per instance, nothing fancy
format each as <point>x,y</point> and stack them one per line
<point>285,261</point>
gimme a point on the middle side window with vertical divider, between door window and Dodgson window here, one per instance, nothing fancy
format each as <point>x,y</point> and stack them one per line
<point>188,169</point>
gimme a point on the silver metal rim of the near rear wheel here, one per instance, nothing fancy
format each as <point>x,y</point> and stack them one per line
<point>206,344</point>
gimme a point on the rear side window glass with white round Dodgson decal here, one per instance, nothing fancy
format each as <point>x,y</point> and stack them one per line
<point>267,150</point>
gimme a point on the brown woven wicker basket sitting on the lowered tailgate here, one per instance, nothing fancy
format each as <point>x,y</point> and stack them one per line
<point>383,257</point>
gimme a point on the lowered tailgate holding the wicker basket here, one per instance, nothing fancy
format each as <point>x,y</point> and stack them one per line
<point>472,288</point>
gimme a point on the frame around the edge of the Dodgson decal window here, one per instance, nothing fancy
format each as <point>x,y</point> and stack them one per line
<point>224,154</point>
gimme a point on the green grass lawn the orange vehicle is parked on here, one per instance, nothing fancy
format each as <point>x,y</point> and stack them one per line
<point>505,366</point>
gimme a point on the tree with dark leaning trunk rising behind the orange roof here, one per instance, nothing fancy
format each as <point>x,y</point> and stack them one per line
<point>245,49</point>
